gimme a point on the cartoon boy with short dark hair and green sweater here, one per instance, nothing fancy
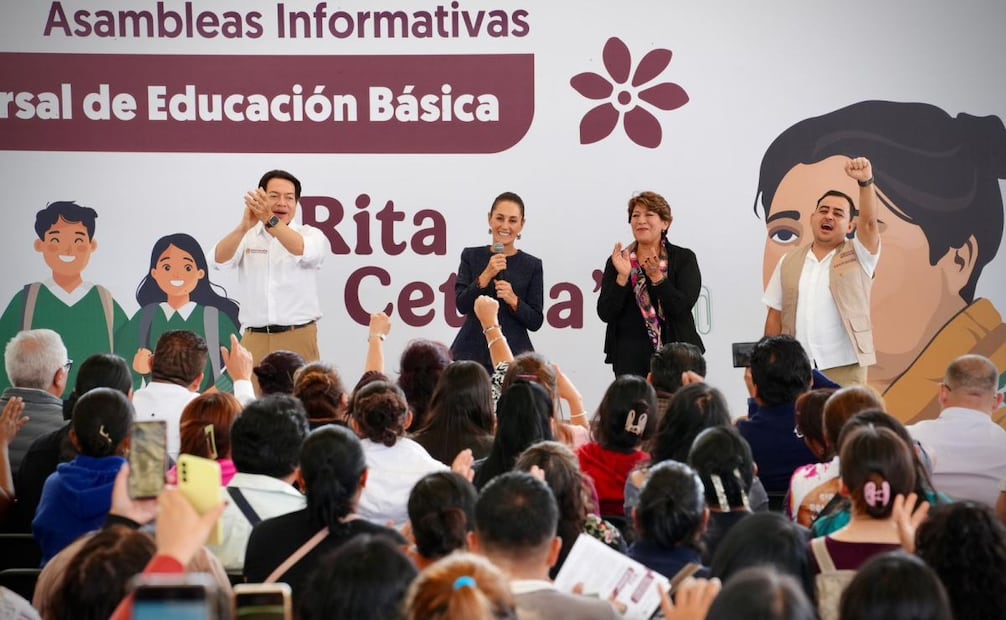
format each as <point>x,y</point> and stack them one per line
<point>85,316</point>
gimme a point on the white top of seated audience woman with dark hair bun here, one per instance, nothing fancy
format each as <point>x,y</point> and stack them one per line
<point>392,475</point>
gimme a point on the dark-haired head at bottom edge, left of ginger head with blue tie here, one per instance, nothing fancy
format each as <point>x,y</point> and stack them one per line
<point>367,577</point>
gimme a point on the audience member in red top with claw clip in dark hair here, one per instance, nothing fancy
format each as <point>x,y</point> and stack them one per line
<point>624,420</point>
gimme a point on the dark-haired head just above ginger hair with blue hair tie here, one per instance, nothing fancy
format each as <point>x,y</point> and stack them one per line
<point>442,513</point>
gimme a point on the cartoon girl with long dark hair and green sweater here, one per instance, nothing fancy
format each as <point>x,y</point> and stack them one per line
<point>177,294</point>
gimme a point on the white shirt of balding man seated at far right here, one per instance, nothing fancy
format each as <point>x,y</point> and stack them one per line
<point>968,452</point>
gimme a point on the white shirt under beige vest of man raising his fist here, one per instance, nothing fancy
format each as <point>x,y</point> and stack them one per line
<point>819,326</point>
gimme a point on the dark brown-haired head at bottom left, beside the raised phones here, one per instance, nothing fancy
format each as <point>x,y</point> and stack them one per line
<point>102,570</point>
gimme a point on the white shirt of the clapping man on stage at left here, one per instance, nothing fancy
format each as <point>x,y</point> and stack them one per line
<point>278,288</point>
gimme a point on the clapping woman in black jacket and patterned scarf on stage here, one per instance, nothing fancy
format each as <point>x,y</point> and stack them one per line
<point>648,290</point>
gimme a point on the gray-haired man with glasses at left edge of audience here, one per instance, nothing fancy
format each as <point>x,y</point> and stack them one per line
<point>38,367</point>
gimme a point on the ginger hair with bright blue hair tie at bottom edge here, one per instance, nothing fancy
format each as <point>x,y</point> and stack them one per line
<point>460,587</point>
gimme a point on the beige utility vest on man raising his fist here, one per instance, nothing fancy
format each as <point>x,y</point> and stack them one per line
<point>851,287</point>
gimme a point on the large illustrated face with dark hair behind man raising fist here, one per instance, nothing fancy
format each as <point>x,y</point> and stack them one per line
<point>941,214</point>
